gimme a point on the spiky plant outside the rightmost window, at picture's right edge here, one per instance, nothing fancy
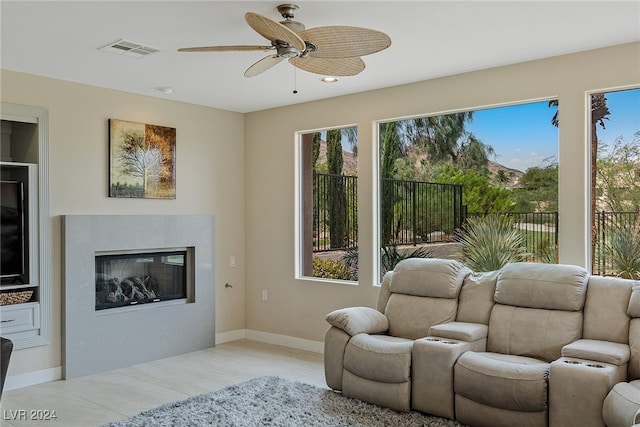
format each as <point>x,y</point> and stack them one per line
<point>623,252</point>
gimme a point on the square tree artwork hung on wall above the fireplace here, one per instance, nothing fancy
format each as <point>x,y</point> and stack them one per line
<point>142,160</point>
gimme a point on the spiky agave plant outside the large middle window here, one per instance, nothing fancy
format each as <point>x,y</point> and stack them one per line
<point>491,242</point>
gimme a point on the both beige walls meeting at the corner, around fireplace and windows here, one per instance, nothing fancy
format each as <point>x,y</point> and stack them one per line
<point>241,169</point>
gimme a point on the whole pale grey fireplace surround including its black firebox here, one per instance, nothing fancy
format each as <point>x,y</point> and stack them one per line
<point>136,288</point>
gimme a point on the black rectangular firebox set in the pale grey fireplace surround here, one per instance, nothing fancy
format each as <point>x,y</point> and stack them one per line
<point>139,277</point>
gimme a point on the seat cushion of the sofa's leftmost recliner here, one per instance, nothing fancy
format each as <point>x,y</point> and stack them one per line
<point>379,358</point>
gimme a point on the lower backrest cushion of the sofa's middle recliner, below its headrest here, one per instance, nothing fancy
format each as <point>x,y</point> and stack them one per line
<point>532,332</point>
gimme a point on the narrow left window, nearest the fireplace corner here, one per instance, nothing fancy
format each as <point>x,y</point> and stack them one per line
<point>328,208</point>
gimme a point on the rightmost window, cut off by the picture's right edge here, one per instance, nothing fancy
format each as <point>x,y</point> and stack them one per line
<point>615,201</point>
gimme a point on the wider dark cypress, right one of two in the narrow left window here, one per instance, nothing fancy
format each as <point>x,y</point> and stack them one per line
<point>337,195</point>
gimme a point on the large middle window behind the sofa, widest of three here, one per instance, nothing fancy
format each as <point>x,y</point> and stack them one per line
<point>447,182</point>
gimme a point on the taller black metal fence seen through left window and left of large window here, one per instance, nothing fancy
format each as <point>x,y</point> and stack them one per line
<point>411,212</point>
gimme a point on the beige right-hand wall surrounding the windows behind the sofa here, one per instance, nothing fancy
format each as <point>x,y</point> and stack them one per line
<point>297,307</point>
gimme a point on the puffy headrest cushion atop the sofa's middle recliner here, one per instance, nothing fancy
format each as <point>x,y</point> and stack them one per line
<point>549,286</point>
